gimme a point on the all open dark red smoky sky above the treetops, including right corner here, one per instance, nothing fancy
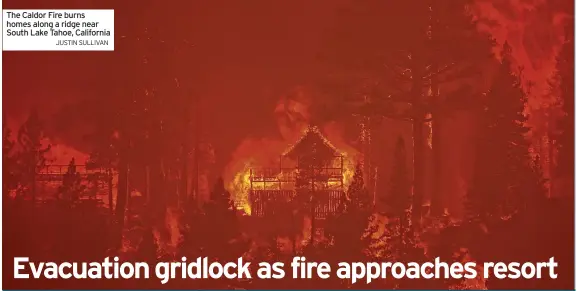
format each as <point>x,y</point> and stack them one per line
<point>240,56</point>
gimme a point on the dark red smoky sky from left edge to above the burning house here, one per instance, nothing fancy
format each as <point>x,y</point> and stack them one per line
<point>243,56</point>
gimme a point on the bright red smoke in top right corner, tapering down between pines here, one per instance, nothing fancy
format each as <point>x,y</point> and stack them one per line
<point>535,30</point>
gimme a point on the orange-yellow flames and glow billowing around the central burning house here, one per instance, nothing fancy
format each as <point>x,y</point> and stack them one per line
<point>292,119</point>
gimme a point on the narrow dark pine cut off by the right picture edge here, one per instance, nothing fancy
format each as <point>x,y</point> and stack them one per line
<point>565,79</point>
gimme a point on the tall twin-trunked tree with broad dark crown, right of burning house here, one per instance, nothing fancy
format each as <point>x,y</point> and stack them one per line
<point>400,71</point>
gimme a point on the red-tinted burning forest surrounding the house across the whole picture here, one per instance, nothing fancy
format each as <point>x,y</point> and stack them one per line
<point>147,190</point>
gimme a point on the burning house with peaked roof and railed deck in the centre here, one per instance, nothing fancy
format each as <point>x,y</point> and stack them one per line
<point>310,175</point>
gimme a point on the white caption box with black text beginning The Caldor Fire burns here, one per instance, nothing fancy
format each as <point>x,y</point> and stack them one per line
<point>58,30</point>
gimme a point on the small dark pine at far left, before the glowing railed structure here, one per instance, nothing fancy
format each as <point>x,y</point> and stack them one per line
<point>32,157</point>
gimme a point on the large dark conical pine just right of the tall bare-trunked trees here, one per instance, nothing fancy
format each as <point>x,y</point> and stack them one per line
<point>502,157</point>
